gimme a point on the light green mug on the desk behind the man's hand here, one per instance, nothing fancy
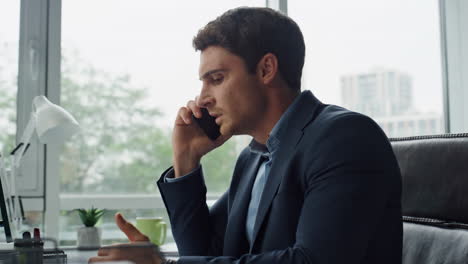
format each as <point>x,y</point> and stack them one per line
<point>153,227</point>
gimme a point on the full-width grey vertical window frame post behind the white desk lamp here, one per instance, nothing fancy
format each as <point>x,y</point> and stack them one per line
<point>39,74</point>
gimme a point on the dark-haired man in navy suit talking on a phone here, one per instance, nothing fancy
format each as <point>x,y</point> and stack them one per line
<point>317,184</point>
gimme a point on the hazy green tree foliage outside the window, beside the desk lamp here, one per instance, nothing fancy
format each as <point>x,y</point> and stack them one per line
<point>119,148</point>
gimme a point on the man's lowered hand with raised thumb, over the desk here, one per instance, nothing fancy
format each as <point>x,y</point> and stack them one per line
<point>139,250</point>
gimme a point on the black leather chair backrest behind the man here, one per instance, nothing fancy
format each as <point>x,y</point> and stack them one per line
<point>434,173</point>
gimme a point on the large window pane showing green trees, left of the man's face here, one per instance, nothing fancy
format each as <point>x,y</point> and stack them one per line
<point>124,78</point>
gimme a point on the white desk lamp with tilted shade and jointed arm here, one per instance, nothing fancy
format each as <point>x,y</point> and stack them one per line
<point>53,125</point>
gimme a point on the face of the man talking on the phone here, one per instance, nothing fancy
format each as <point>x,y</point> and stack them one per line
<point>229,92</point>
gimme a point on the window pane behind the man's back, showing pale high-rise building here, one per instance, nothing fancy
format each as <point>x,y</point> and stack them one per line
<point>381,58</point>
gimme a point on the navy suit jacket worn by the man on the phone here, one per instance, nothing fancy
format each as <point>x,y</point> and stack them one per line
<point>332,196</point>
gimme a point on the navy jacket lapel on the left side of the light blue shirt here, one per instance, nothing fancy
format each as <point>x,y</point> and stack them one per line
<point>235,241</point>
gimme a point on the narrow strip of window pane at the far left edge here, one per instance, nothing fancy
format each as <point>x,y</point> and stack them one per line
<point>9,43</point>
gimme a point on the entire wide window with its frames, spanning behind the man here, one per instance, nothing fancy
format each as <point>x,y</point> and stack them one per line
<point>126,50</point>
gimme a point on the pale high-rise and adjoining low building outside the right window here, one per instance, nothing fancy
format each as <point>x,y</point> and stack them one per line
<point>387,96</point>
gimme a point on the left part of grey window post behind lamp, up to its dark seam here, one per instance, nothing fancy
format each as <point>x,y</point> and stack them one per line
<point>32,81</point>
